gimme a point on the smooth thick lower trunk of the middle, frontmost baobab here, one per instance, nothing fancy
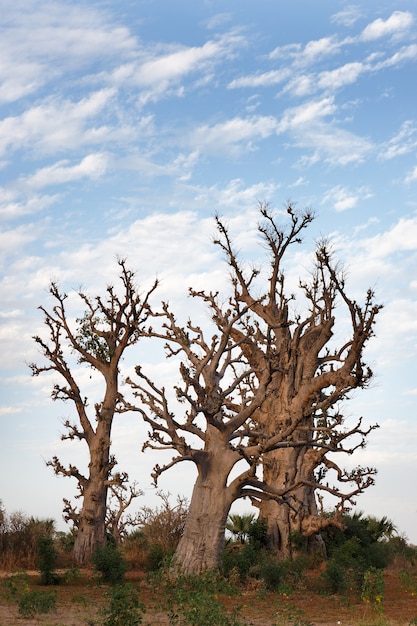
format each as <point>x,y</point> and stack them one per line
<point>201,546</point>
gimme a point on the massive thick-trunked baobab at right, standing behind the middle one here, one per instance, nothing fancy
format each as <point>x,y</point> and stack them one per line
<point>311,377</point>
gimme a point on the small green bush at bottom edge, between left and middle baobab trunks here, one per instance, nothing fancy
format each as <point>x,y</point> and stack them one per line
<point>124,608</point>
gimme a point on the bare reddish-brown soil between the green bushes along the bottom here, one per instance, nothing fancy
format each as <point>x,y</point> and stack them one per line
<point>80,599</point>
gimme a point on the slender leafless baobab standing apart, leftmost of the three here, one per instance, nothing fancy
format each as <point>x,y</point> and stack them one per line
<point>98,340</point>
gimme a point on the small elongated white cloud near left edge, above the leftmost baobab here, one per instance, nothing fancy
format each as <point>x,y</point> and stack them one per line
<point>92,166</point>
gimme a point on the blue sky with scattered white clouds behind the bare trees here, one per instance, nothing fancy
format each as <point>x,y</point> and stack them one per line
<point>126,126</point>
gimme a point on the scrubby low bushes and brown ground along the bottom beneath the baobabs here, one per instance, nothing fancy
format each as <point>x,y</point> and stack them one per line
<point>369,577</point>
